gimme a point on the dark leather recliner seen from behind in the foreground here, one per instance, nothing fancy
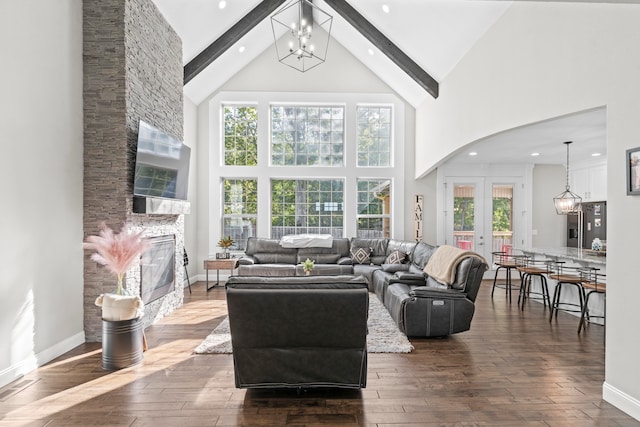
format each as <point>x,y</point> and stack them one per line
<point>298,332</point>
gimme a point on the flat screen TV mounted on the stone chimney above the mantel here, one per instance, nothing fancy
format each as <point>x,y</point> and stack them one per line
<point>162,165</point>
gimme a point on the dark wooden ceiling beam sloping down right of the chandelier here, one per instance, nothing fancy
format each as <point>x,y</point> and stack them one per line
<point>353,17</point>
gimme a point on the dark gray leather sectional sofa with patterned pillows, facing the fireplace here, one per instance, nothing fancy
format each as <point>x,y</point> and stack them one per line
<point>420,305</point>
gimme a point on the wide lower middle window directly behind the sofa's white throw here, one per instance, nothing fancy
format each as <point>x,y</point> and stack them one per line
<point>306,206</point>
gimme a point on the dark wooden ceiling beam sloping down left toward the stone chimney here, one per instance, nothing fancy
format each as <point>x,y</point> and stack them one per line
<point>231,36</point>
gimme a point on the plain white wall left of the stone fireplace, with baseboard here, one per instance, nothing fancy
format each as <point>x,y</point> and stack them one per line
<point>41,254</point>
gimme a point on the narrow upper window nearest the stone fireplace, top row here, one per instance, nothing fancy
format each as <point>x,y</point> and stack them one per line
<point>240,135</point>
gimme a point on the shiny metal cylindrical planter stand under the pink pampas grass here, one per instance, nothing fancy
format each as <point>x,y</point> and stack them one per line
<point>122,343</point>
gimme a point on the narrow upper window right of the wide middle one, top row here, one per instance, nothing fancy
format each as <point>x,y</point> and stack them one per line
<point>374,136</point>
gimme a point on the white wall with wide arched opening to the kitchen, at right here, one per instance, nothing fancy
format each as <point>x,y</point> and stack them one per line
<point>543,60</point>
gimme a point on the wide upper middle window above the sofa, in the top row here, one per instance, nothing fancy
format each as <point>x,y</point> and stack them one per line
<point>307,135</point>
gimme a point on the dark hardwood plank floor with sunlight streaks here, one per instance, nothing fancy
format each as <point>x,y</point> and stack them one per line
<point>513,368</point>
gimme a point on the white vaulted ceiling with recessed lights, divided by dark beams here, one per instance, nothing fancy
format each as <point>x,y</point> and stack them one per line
<point>433,33</point>
